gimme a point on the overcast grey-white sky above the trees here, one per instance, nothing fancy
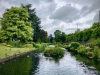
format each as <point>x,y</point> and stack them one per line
<point>64,15</point>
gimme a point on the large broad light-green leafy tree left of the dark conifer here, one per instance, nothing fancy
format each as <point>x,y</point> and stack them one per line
<point>15,25</point>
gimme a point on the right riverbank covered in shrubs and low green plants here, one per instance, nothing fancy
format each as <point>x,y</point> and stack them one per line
<point>84,50</point>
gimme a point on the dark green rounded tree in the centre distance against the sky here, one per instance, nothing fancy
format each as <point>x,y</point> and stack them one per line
<point>59,36</point>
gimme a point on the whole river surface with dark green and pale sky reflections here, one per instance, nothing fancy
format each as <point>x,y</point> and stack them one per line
<point>38,64</point>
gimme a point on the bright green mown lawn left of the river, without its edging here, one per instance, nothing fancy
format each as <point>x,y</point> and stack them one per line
<point>11,51</point>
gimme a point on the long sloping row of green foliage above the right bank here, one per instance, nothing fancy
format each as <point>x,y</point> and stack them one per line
<point>85,35</point>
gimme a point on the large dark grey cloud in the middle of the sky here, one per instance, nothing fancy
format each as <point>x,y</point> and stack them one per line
<point>66,13</point>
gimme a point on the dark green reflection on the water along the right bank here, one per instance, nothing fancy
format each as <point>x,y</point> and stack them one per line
<point>89,63</point>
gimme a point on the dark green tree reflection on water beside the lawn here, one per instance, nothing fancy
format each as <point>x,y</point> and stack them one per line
<point>21,66</point>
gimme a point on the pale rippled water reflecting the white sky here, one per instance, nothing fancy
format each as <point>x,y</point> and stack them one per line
<point>68,65</point>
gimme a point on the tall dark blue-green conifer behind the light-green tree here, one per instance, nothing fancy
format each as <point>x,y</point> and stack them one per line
<point>35,21</point>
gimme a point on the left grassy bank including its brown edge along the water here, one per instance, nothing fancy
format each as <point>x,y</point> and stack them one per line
<point>7,52</point>
